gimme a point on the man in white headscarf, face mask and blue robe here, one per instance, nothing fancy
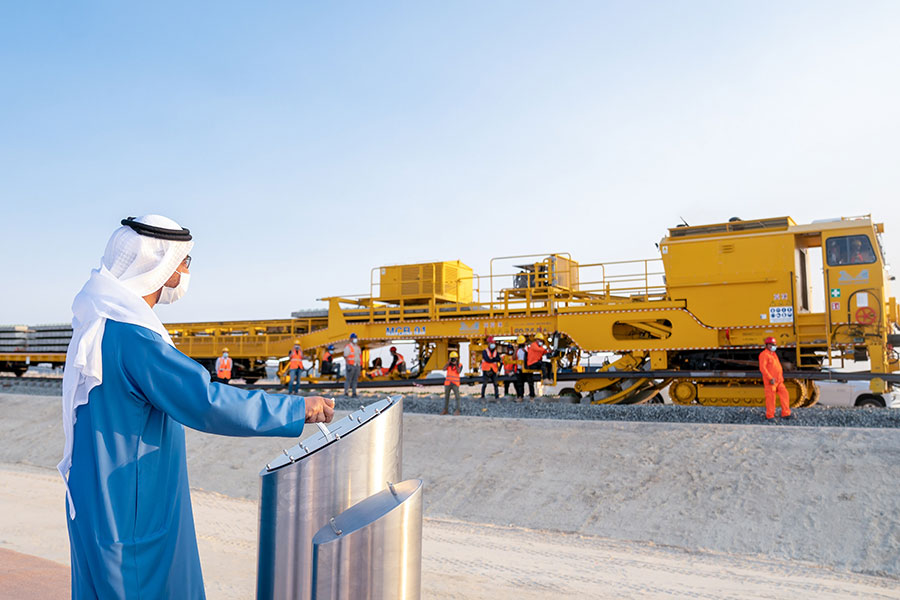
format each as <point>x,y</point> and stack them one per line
<point>127,392</point>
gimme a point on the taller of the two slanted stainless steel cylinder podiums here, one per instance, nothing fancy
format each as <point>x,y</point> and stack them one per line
<point>317,480</point>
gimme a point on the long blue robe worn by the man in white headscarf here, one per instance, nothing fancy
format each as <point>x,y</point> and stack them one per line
<point>133,532</point>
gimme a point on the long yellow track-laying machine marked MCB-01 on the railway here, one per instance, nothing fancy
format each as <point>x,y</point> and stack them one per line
<point>692,319</point>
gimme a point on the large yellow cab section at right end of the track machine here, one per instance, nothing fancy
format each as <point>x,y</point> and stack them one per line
<point>821,289</point>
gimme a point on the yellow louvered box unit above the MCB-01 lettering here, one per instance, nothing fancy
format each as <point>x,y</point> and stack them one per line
<point>447,281</point>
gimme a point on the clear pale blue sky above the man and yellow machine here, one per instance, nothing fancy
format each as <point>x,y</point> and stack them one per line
<point>306,142</point>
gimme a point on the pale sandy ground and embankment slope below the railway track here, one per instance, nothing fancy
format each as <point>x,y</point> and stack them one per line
<point>546,509</point>
